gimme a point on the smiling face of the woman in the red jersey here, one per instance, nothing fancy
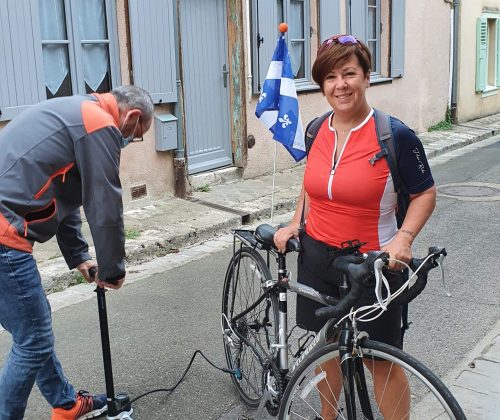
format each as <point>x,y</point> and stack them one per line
<point>344,87</point>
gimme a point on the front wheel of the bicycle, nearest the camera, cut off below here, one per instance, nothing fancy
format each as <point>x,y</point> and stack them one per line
<point>429,396</point>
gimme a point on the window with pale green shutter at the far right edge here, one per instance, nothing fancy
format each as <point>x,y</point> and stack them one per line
<point>488,53</point>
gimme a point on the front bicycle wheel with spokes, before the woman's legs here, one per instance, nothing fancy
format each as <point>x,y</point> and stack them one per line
<point>426,396</point>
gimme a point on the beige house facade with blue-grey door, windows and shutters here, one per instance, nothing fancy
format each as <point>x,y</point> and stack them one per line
<point>203,61</point>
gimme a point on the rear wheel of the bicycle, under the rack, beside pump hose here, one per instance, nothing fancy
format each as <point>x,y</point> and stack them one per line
<point>242,288</point>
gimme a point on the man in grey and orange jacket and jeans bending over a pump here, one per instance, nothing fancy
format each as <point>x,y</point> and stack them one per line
<point>55,157</point>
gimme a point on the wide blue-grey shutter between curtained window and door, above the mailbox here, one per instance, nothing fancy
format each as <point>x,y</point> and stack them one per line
<point>152,35</point>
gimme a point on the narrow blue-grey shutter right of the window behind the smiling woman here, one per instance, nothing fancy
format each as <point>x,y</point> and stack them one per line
<point>397,38</point>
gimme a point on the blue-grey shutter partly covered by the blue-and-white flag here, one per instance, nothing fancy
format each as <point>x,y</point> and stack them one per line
<point>264,27</point>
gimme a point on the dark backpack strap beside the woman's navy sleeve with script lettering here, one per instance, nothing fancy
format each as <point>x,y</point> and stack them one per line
<point>385,139</point>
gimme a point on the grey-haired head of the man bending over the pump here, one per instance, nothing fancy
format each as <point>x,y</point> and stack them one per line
<point>136,111</point>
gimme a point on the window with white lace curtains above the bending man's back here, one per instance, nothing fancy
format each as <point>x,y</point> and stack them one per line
<point>78,50</point>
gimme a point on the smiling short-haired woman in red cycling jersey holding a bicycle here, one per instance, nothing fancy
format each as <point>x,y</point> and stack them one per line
<point>344,197</point>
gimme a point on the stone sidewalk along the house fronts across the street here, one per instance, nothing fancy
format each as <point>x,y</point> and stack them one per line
<point>165,226</point>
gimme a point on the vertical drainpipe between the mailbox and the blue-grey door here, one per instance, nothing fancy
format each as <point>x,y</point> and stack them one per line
<point>181,182</point>
